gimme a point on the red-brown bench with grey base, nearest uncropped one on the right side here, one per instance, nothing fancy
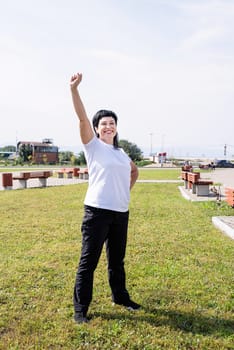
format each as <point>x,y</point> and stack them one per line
<point>193,182</point>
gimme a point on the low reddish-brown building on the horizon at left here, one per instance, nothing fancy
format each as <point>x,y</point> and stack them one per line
<point>39,152</point>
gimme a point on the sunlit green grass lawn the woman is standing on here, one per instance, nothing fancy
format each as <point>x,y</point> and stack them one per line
<point>178,265</point>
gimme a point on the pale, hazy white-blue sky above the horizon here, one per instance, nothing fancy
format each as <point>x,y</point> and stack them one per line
<point>165,67</point>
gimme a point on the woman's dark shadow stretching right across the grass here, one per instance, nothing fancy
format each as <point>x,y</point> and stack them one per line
<point>195,323</point>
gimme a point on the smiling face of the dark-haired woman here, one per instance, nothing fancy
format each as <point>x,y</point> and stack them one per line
<point>107,129</point>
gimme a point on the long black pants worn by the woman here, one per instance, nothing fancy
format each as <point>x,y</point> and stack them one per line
<point>101,226</point>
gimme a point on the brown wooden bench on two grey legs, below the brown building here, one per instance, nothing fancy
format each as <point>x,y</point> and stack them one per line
<point>23,177</point>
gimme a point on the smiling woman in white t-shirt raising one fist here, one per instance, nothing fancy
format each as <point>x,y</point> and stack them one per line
<point>111,176</point>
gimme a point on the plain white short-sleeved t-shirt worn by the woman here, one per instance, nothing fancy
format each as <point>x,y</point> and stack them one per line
<point>109,176</point>
